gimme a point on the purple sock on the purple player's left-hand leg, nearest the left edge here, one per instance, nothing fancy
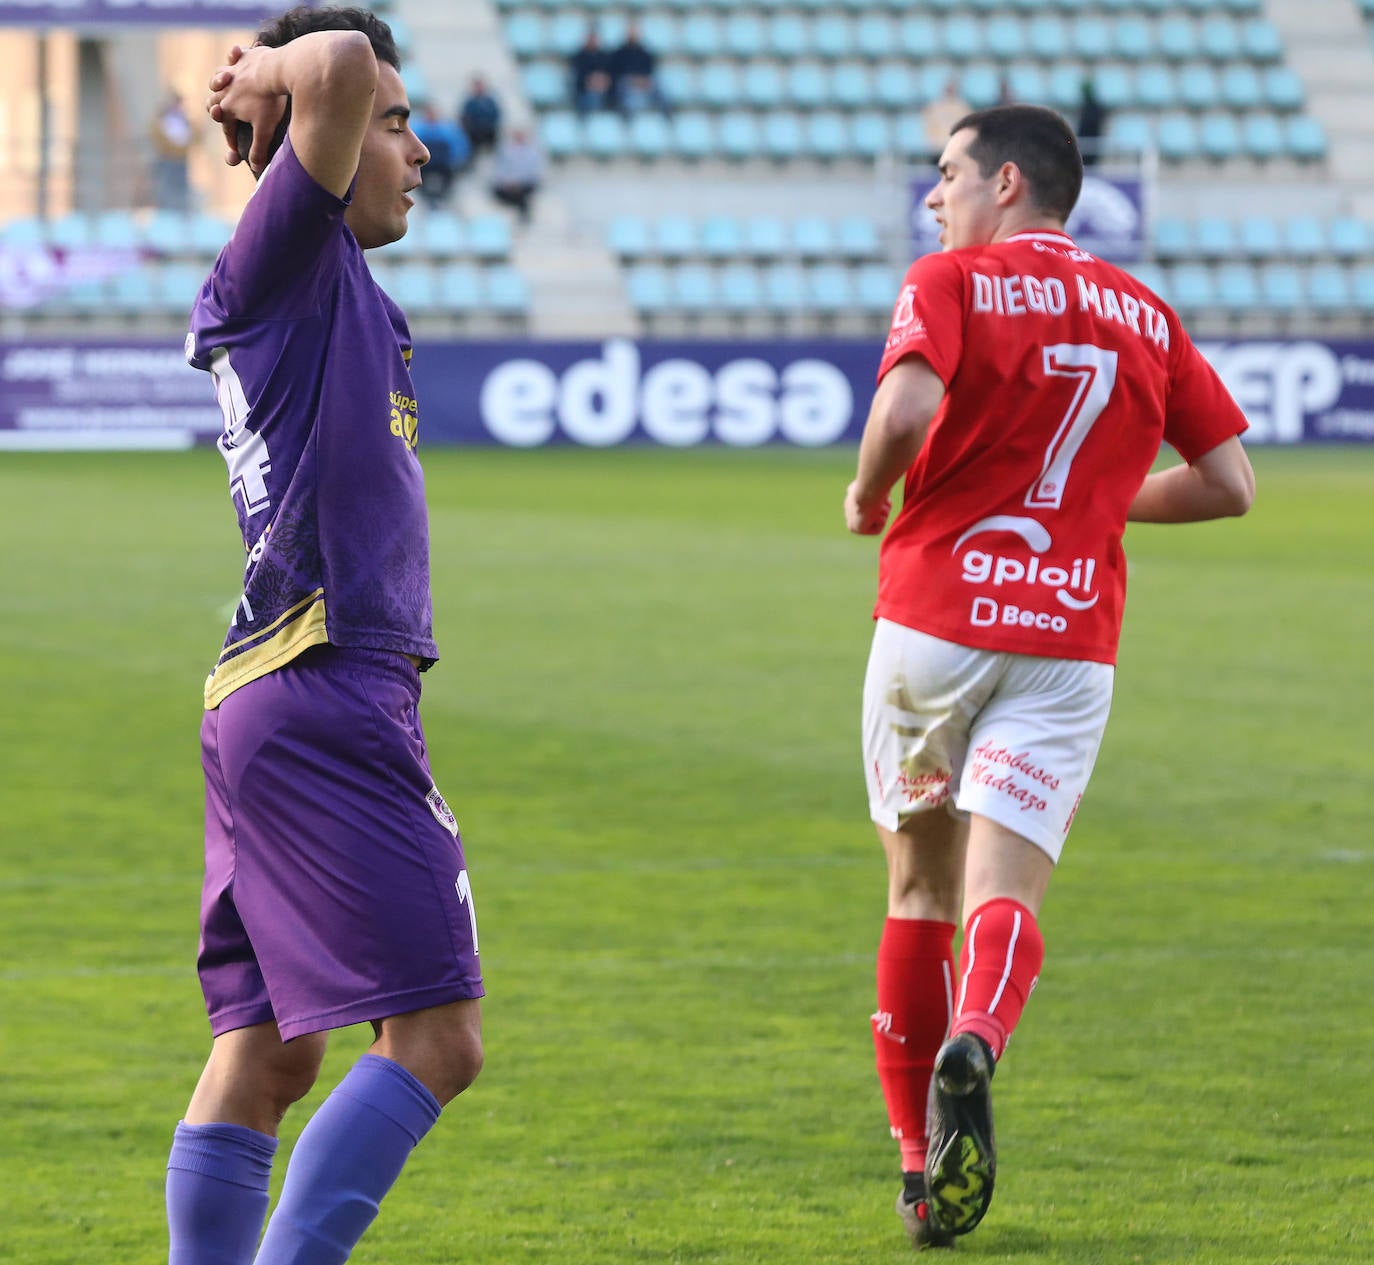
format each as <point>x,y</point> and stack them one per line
<point>218,1178</point>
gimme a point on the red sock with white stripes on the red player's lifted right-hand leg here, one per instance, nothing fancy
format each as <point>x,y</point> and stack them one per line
<point>1000,965</point>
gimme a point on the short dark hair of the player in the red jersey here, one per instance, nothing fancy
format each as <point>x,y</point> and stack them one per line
<point>1039,142</point>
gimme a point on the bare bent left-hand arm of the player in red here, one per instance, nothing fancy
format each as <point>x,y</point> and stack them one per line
<point>903,407</point>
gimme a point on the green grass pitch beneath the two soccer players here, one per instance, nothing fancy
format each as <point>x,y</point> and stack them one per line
<point>646,720</point>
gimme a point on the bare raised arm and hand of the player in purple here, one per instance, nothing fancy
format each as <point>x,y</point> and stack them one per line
<point>329,80</point>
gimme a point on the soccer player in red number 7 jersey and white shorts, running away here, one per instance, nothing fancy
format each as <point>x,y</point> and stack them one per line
<point>1024,395</point>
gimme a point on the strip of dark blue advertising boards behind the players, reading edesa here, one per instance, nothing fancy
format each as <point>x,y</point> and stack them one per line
<point>674,395</point>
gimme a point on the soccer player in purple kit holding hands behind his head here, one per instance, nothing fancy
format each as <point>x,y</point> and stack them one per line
<point>336,889</point>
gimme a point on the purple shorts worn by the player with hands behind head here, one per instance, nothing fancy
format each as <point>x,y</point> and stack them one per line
<point>336,889</point>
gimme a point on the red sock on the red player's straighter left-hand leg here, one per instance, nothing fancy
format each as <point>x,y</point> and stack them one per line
<point>916,999</point>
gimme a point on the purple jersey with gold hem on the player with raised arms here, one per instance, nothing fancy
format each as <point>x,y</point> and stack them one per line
<point>311,365</point>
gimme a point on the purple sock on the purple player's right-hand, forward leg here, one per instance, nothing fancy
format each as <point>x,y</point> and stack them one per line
<point>346,1161</point>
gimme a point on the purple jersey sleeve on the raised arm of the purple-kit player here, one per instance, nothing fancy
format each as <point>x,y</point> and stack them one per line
<point>286,247</point>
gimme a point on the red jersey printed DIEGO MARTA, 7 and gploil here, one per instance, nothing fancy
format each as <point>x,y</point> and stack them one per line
<point>1063,377</point>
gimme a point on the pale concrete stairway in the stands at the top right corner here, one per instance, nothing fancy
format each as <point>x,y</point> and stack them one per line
<point>1327,45</point>
